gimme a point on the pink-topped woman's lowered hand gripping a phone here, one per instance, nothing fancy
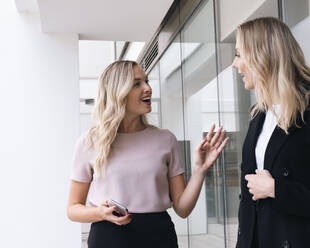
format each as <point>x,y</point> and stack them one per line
<point>106,213</point>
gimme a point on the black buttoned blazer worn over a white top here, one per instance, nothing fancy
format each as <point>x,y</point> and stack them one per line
<point>285,220</point>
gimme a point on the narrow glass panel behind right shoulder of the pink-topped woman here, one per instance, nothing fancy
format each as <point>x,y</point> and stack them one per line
<point>172,116</point>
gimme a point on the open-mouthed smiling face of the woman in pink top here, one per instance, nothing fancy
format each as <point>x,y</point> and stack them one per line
<point>139,97</point>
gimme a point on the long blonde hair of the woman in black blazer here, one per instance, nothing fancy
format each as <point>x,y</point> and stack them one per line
<point>277,65</point>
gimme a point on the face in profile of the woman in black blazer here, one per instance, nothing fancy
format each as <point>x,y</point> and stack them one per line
<point>240,64</point>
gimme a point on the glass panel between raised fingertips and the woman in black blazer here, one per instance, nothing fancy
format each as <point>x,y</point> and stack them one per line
<point>235,103</point>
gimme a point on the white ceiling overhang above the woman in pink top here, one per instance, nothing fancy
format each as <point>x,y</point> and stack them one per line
<point>134,20</point>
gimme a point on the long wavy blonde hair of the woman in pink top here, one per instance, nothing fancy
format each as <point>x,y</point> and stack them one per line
<point>114,84</point>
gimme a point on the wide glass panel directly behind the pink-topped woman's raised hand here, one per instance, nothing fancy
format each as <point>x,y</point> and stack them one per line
<point>206,223</point>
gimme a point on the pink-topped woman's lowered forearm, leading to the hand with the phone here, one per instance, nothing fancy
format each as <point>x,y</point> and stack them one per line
<point>81,213</point>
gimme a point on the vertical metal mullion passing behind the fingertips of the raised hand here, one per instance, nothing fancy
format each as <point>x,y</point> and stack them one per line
<point>217,59</point>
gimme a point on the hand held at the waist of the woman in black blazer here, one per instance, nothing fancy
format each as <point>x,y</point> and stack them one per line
<point>261,184</point>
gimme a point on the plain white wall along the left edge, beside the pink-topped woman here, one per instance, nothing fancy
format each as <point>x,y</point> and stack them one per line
<point>39,105</point>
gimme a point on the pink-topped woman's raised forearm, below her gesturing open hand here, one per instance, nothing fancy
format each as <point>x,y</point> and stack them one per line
<point>187,201</point>
